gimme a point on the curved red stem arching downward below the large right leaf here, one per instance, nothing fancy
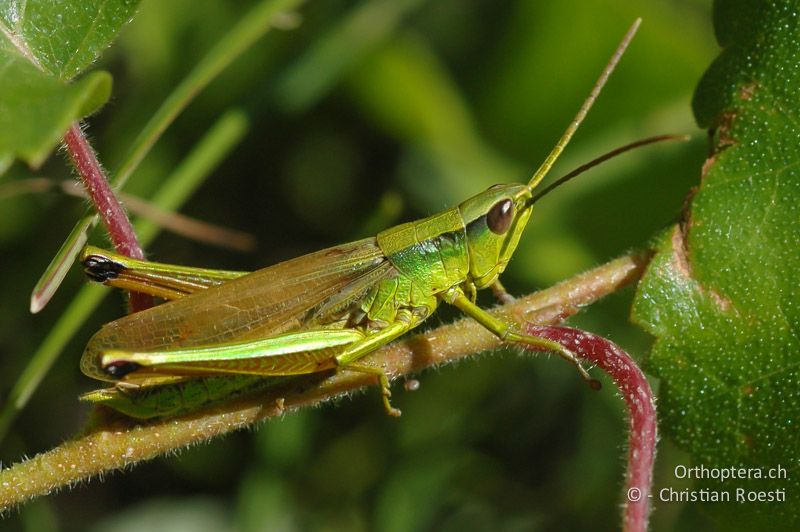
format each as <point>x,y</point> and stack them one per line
<point>641,407</point>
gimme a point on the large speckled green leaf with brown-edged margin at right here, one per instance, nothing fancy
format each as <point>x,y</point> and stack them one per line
<point>722,293</point>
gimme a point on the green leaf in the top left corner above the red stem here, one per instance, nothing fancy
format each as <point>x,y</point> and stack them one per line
<point>43,45</point>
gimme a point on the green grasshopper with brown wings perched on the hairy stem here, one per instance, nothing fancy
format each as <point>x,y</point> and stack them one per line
<point>221,331</point>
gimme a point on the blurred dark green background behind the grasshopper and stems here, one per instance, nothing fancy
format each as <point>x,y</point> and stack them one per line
<point>362,115</point>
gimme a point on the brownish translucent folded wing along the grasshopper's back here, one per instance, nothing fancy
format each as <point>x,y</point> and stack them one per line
<point>297,294</point>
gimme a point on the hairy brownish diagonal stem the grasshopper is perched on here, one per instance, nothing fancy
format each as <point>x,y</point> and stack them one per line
<point>113,442</point>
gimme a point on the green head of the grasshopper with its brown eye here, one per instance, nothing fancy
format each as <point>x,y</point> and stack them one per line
<point>495,220</point>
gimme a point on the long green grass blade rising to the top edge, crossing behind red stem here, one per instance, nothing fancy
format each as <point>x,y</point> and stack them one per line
<point>251,27</point>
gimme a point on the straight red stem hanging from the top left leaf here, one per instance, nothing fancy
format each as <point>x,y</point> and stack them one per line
<point>113,216</point>
